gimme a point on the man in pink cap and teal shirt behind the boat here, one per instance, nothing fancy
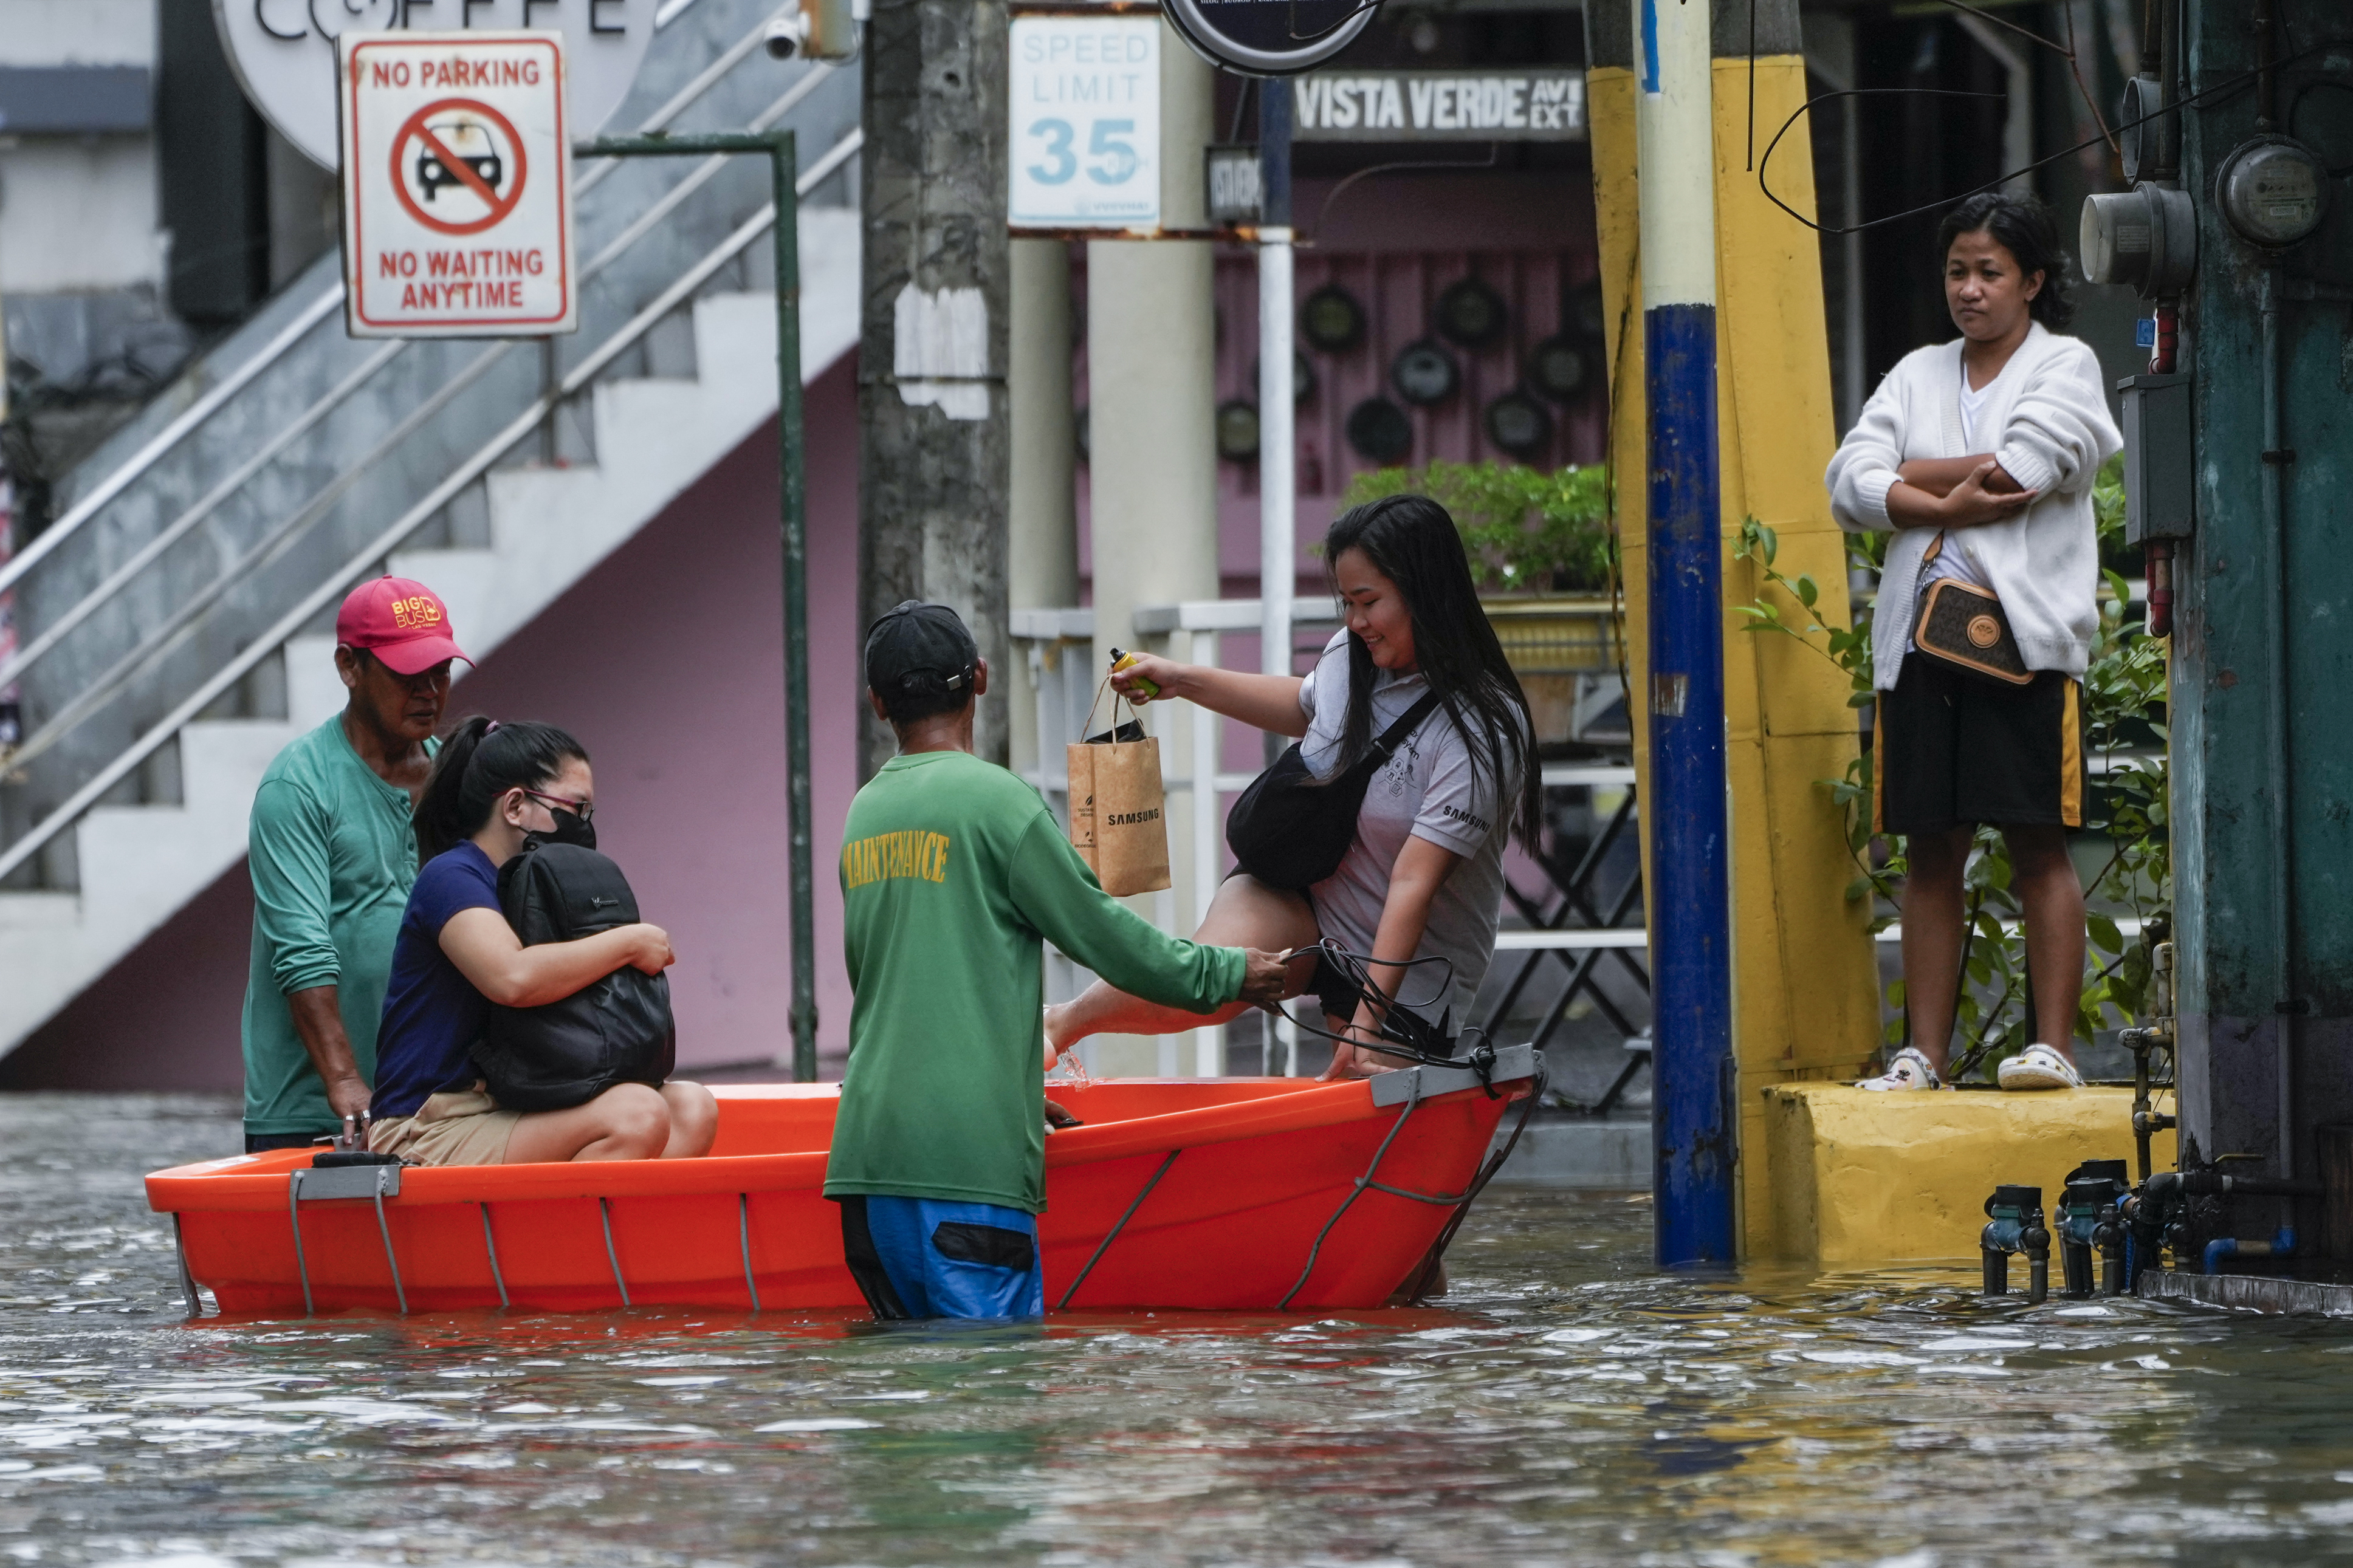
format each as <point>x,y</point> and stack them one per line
<point>333,857</point>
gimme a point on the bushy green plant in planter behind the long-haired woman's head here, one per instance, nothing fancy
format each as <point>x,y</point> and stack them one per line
<point>1526,528</point>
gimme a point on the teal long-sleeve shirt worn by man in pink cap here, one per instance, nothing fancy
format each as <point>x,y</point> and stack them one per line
<point>333,857</point>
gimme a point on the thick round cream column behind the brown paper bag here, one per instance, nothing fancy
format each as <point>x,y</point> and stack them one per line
<point>1152,363</point>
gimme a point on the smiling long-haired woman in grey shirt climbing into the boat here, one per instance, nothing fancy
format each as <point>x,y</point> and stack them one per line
<point>1425,873</point>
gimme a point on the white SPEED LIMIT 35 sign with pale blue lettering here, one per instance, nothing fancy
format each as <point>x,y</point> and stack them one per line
<point>1086,123</point>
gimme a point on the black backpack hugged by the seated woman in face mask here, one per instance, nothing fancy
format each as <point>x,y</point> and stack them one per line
<point>615,1031</point>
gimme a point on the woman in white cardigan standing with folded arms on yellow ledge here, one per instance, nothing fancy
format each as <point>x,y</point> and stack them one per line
<point>1980,457</point>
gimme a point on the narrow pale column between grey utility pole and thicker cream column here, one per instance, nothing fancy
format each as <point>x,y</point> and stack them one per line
<point>1041,549</point>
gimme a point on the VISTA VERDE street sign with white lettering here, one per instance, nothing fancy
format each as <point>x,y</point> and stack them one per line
<point>1441,107</point>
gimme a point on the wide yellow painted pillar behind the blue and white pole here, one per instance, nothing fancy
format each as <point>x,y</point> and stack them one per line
<point>1806,984</point>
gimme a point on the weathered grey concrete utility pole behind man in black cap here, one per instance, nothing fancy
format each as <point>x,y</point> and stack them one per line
<point>933,408</point>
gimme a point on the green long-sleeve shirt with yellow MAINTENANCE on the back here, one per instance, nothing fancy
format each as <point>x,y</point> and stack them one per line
<point>954,878</point>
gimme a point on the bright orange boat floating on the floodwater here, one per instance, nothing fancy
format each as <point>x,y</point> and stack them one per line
<point>1175,1193</point>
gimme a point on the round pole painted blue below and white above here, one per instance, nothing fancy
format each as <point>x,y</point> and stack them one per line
<point>1691,873</point>
